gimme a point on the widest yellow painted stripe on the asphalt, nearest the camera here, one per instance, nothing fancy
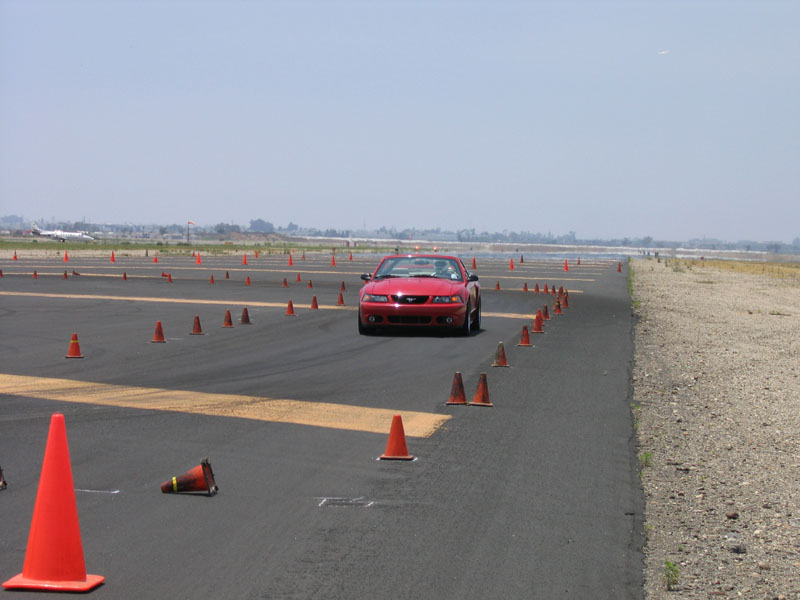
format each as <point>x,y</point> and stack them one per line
<point>315,414</point>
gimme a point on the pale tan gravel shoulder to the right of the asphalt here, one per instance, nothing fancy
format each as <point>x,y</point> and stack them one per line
<point>717,410</point>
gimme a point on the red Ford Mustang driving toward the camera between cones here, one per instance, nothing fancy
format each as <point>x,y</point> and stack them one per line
<point>420,290</point>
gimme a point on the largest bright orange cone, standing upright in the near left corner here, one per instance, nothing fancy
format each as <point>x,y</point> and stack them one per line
<point>54,557</point>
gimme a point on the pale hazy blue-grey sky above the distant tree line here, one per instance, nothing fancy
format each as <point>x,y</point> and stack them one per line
<point>612,119</point>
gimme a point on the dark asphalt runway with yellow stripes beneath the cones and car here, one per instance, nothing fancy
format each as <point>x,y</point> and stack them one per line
<point>537,497</point>
